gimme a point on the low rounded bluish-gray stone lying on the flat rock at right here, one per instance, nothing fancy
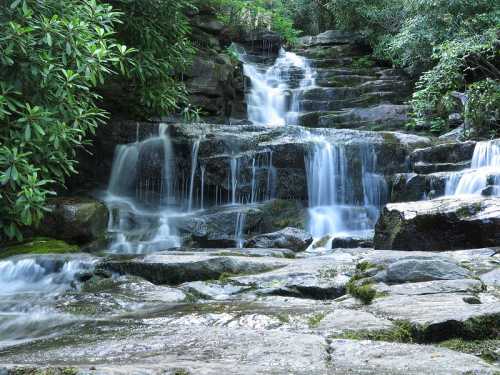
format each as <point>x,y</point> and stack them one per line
<point>421,269</point>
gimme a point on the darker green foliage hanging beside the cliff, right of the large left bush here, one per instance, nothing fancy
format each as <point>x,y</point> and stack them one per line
<point>159,31</point>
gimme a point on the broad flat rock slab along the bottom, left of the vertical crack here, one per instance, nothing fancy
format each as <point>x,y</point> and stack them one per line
<point>155,349</point>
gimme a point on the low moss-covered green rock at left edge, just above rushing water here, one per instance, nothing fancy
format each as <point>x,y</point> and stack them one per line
<point>39,246</point>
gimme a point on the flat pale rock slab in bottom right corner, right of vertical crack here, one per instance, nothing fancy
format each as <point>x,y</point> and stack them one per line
<point>376,358</point>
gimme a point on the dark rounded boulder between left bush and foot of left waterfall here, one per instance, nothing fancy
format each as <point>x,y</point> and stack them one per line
<point>75,219</point>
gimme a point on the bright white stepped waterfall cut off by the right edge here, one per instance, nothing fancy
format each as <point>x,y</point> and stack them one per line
<point>483,174</point>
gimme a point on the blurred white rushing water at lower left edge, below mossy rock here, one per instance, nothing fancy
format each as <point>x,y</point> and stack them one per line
<point>29,288</point>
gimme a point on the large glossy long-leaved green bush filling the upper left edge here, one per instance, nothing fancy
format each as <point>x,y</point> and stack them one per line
<point>53,54</point>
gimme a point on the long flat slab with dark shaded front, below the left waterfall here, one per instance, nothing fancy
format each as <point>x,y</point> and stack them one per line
<point>176,268</point>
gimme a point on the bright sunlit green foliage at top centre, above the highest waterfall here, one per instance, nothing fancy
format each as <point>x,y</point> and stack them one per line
<point>257,15</point>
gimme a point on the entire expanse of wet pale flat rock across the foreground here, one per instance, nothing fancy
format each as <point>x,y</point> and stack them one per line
<point>284,312</point>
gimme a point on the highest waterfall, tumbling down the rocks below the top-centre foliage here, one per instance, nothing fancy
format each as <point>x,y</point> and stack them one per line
<point>274,97</point>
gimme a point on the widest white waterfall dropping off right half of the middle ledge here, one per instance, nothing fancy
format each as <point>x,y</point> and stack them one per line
<point>335,205</point>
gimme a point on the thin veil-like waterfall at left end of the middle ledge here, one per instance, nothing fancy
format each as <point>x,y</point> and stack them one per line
<point>142,205</point>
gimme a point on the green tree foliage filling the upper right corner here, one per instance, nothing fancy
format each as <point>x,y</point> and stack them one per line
<point>451,45</point>
